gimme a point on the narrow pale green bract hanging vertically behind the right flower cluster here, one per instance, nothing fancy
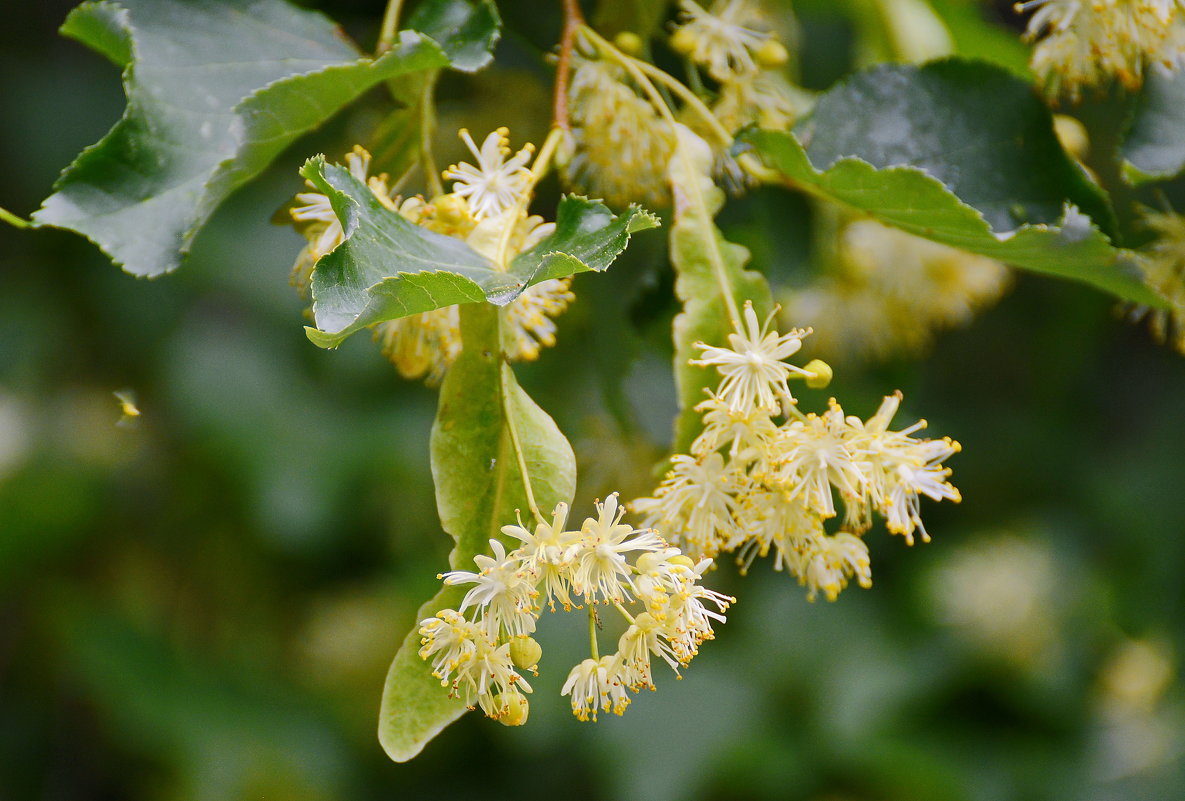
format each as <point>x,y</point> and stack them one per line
<point>710,280</point>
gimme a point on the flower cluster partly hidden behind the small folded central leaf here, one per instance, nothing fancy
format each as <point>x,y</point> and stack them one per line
<point>486,201</point>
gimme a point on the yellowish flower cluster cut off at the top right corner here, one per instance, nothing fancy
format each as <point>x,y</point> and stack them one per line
<point>1085,43</point>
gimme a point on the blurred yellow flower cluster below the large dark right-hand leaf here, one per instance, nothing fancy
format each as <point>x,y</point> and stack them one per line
<point>888,292</point>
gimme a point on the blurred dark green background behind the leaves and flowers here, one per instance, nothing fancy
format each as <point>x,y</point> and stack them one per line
<point>203,605</point>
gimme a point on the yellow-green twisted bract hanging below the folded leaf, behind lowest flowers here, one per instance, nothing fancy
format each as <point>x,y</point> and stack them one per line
<point>488,431</point>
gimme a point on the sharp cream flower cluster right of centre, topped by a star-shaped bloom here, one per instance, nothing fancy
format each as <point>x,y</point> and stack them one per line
<point>755,485</point>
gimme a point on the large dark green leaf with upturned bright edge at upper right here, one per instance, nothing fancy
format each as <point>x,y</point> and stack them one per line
<point>918,149</point>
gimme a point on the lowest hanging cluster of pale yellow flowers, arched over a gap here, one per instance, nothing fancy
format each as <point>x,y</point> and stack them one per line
<point>478,651</point>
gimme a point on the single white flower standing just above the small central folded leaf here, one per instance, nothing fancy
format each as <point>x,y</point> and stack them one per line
<point>496,184</point>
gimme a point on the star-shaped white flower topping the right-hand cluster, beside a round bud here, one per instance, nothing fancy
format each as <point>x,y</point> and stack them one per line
<point>753,369</point>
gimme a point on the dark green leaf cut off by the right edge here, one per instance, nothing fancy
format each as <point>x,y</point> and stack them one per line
<point>1155,146</point>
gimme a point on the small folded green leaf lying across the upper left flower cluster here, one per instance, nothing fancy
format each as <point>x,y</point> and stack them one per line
<point>389,268</point>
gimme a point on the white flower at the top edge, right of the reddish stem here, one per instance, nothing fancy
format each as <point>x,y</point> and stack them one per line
<point>722,37</point>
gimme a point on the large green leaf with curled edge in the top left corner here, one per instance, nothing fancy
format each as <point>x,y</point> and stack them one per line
<point>216,91</point>
